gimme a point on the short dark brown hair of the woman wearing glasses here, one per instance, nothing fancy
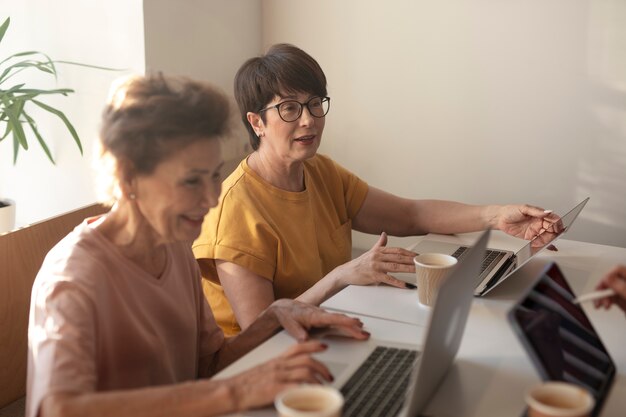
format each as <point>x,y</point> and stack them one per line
<point>283,69</point>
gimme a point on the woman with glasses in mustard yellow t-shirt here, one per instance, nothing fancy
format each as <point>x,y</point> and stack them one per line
<point>284,221</point>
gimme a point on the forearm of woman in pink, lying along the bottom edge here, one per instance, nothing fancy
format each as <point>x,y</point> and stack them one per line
<point>202,398</point>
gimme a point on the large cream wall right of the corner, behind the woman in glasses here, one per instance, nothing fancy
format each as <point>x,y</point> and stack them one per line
<point>481,101</point>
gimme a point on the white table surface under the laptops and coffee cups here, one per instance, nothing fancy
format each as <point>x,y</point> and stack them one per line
<point>491,370</point>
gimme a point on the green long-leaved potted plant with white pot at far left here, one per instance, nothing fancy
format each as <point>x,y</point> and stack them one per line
<point>16,101</point>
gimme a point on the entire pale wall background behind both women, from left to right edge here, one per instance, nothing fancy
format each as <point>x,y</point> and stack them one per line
<point>480,101</point>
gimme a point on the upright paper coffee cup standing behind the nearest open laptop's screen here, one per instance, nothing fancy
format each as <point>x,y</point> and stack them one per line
<point>430,271</point>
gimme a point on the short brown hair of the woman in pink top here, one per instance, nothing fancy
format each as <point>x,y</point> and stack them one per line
<point>150,116</point>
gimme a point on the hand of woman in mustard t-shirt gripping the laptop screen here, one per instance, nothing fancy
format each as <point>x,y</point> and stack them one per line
<point>529,222</point>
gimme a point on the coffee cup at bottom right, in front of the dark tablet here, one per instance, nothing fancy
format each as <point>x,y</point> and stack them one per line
<point>559,399</point>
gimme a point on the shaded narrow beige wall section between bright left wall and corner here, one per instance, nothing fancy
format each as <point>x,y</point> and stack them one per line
<point>206,40</point>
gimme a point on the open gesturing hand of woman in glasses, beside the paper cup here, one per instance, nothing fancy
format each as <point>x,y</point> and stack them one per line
<point>374,265</point>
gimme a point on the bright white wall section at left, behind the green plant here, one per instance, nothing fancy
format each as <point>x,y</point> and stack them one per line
<point>89,31</point>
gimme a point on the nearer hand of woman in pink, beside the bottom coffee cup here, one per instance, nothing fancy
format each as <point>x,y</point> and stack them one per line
<point>258,386</point>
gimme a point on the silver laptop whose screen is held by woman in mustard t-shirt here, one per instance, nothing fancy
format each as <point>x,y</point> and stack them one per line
<point>499,264</point>
